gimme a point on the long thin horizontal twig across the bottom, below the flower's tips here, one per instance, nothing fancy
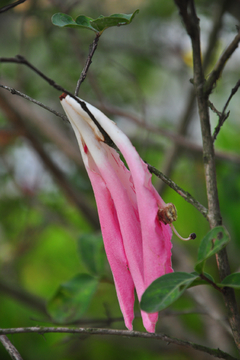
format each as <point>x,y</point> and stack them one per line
<point>126,333</point>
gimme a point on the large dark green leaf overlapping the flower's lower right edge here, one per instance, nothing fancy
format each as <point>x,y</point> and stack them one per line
<point>165,290</point>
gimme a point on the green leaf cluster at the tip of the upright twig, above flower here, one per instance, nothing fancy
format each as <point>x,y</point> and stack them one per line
<point>98,25</point>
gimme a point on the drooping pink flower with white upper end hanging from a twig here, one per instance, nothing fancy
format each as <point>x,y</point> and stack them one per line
<point>137,243</point>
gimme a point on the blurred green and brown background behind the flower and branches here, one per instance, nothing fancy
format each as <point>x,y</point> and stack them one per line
<point>140,77</point>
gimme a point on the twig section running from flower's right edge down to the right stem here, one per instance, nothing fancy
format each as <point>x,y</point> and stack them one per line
<point>188,197</point>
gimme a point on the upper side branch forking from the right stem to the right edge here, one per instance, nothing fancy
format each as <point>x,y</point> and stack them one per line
<point>216,73</point>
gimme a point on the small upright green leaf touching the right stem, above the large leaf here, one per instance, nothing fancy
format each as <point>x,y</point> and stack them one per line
<point>208,248</point>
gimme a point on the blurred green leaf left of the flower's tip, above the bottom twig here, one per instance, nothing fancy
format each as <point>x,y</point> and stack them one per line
<point>72,299</point>
